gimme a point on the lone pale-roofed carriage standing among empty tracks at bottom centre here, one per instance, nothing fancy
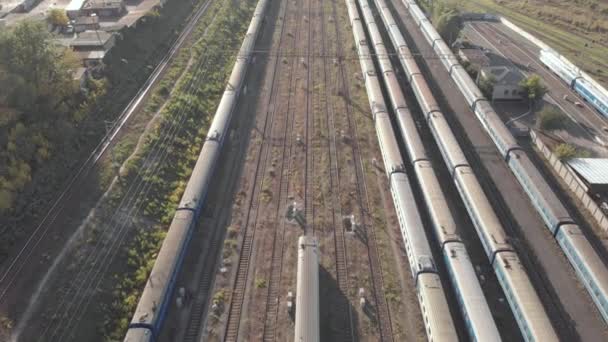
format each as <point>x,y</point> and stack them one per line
<point>307,291</point>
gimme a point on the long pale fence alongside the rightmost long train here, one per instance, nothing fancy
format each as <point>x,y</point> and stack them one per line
<point>573,183</point>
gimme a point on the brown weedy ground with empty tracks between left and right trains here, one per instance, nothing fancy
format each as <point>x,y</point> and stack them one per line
<point>313,144</point>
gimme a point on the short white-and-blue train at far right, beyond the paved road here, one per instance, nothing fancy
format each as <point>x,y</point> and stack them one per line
<point>581,84</point>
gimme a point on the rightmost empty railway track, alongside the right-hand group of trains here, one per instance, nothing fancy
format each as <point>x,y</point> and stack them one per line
<point>382,309</point>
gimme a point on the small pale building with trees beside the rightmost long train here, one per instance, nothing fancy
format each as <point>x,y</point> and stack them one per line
<point>506,82</point>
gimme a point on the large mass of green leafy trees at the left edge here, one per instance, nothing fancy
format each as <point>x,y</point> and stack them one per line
<point>36,101</point>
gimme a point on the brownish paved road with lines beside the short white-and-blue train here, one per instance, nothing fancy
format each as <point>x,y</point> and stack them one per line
<point>504,41</point>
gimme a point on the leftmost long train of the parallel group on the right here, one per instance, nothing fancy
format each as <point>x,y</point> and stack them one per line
<point>438,321</point>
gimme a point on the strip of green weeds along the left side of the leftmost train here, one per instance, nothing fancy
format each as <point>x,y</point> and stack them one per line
<point>121,293</point>
